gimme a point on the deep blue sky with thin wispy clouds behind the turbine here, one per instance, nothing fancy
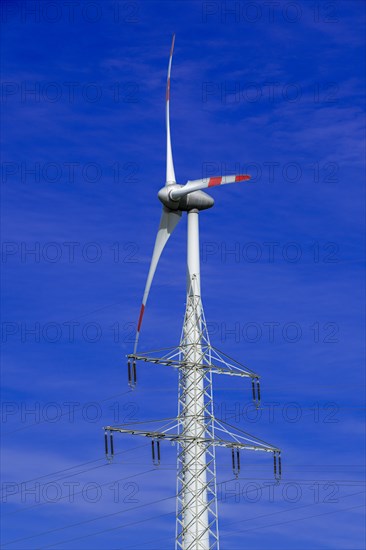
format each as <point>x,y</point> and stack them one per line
<point>277,91</point>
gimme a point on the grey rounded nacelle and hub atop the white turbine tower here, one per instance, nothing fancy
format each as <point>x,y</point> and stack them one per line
<point>198,200</point>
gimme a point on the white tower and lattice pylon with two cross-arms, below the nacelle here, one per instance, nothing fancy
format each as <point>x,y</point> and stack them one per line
<point>195,430</point>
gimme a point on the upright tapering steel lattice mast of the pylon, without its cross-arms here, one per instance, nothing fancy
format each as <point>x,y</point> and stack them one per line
<point>196,464</point>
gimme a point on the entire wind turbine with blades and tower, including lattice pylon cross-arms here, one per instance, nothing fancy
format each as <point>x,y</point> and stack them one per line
<point>195,430</point>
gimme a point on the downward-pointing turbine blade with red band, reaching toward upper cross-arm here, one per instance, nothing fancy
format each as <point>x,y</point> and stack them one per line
<point>168,223</point>
